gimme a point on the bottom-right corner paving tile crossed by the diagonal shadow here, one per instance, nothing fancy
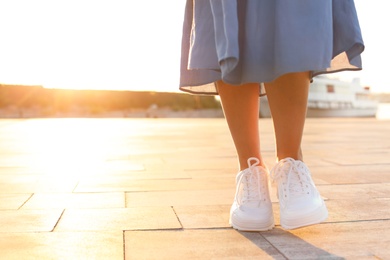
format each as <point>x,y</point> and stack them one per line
<point>354,240</point>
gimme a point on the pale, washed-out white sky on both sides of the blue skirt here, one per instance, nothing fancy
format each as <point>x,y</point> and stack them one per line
<point>125,44</point>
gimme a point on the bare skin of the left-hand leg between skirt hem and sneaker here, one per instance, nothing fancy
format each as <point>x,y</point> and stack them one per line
<point>241,109</point>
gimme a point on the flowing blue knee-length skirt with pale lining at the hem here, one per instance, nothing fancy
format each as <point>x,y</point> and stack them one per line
<point>247,41</point>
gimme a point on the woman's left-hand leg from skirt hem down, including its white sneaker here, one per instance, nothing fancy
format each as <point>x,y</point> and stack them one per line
<point>252,208</point>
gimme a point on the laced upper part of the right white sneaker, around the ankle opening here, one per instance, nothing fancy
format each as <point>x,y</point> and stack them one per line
<point>294,176</point>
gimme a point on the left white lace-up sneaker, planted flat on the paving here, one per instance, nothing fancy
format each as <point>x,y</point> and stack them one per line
<point>252,207</point>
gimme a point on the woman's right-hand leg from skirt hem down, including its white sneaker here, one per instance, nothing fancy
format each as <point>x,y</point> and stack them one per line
<point>299,200</point>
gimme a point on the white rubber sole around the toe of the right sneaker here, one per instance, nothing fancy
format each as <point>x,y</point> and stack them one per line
<point>315,217</point>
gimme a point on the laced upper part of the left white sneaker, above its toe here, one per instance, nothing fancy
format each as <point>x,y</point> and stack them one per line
<point>250,185</point>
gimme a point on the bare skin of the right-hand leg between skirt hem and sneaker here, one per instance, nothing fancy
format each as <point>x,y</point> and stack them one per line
<point>287,97</point>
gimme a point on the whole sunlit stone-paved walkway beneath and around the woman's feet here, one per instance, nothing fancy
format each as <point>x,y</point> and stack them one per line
<point>162,188</point>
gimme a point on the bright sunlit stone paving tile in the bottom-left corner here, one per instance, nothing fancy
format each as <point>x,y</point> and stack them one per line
<point>62,245</point>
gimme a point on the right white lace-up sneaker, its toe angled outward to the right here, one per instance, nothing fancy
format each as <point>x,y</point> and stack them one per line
<point>300,202</point>
